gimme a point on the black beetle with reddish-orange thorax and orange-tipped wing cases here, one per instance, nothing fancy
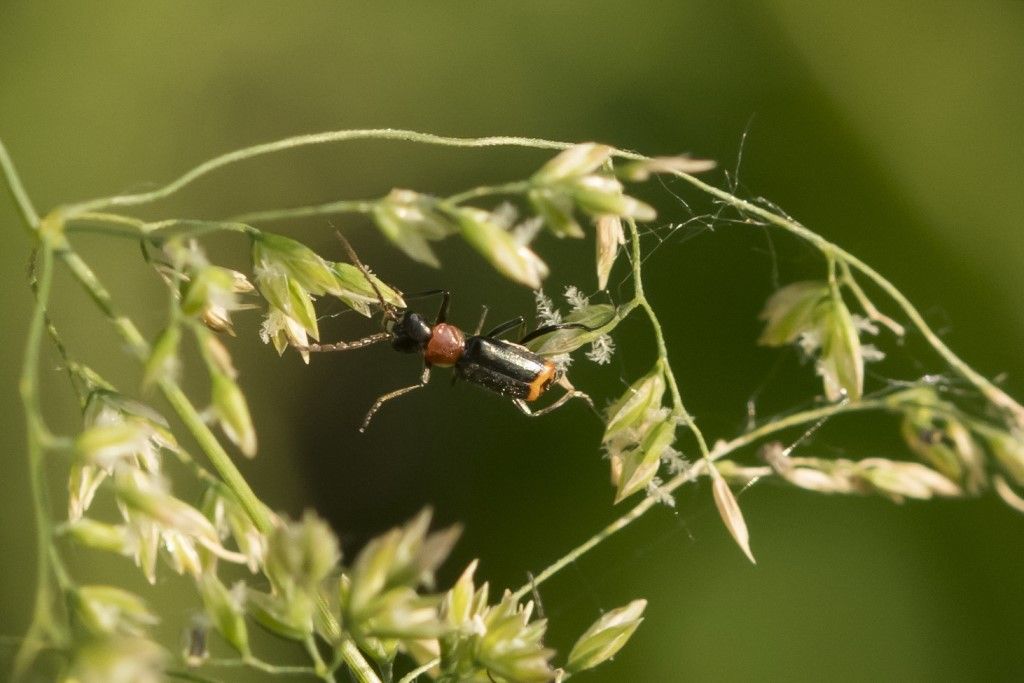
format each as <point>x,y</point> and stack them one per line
<point>503,367</point>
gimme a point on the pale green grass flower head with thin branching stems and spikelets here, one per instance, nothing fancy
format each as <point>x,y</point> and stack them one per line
<point>367,613</point>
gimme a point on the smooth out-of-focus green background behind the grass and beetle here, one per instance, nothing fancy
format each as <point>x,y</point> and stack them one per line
<point>893,131</point>
